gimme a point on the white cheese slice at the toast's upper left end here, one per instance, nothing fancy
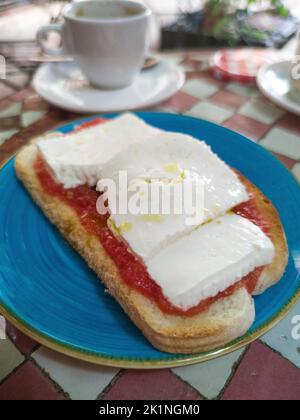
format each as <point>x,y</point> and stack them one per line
<point>78,158</point>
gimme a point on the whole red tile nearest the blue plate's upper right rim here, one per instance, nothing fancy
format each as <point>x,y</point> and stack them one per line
<point>247,126</point>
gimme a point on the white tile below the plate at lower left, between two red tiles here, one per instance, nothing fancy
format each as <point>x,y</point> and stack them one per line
<point>81,380</point>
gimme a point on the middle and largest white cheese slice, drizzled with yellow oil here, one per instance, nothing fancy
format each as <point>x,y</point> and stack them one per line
<point>171,157</point>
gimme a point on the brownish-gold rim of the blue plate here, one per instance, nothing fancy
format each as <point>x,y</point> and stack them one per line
<point>132,363</point>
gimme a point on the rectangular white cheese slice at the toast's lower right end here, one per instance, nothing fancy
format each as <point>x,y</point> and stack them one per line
<point>210,260</point>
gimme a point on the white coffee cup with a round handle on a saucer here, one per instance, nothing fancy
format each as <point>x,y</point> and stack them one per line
<point>107,39</point>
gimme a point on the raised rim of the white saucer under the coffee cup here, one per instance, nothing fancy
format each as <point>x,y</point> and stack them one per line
<point>82,110</point>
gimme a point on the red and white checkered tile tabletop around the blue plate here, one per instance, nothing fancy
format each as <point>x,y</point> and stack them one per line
<point>268,369</point>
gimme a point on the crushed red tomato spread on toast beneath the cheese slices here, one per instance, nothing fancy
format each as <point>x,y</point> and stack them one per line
<point>132,270</point>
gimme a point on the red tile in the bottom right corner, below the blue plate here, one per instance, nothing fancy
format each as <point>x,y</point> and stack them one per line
<point>264,375</point>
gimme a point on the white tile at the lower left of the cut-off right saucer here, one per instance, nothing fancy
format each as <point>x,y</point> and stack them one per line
<point>262,111</point>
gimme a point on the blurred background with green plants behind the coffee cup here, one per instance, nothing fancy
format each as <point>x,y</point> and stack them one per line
<point>176,24</point>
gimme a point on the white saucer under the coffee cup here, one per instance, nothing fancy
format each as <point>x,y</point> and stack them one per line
<point>64,86</point>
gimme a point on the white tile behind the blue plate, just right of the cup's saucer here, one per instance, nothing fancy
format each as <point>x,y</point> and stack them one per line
<point>211,112</point>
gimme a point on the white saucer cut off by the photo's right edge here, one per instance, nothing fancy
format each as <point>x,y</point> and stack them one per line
<point>275,82</point>
